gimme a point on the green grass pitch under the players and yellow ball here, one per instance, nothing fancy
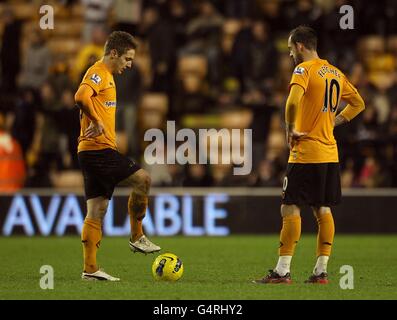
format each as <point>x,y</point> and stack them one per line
<point>215,268</point>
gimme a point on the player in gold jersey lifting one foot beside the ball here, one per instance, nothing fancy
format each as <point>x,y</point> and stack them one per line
<point>102,165</point>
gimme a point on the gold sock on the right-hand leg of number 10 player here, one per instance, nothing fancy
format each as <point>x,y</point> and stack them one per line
<point>325,236</point>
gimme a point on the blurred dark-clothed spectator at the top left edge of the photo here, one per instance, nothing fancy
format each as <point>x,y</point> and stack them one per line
<point>10,51</point>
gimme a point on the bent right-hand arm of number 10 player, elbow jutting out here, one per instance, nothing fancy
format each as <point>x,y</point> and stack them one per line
<point>355,104</point>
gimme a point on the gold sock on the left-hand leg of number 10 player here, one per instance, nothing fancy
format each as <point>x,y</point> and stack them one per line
<point>290,234</point>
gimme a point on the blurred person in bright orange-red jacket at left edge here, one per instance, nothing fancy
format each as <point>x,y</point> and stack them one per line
<point>12,166</point>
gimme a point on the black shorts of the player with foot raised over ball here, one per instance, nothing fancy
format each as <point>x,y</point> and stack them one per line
<point>103,170</point>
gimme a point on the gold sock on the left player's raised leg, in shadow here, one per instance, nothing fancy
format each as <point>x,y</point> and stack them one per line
<point>137,205</point>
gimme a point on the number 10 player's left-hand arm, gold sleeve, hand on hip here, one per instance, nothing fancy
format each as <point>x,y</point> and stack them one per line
<point>295,95</point>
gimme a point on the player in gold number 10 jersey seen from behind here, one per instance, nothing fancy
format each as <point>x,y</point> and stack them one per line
<point>312,175</point>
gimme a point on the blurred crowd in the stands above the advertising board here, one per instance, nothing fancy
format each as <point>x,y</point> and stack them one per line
<point>201,63</point>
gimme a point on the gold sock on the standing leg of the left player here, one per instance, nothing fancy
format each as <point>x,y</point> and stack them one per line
<point>91,236</point>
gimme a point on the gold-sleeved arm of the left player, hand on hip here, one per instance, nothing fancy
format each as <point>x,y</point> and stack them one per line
<point>84,103</point>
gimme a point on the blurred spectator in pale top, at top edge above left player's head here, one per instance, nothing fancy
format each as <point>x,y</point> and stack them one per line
<point>96,15</point>
